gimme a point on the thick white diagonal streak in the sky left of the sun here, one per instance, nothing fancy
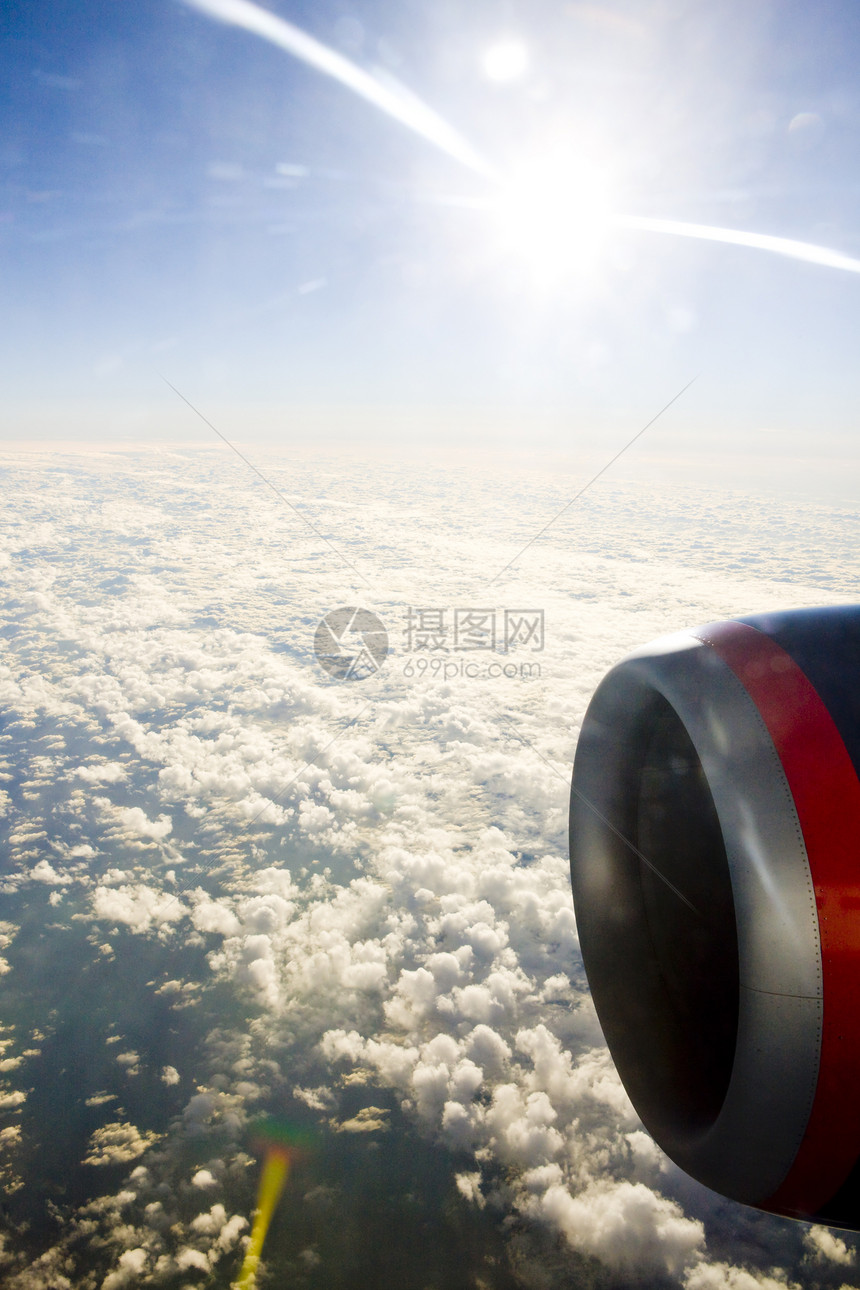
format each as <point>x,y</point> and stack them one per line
<point>395,100</point>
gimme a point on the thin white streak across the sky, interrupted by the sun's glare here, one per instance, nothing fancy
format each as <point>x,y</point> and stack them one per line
<point>399,103</point>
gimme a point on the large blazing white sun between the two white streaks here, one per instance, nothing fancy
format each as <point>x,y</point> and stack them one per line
<point>556,215</point>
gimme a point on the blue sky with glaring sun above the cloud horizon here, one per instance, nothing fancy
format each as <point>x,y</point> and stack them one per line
<point>182,198</point>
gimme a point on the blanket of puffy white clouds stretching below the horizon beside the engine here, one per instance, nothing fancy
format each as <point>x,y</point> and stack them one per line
<point>347,905</point>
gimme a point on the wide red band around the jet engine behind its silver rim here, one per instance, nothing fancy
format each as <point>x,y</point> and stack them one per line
<point>827,798</point>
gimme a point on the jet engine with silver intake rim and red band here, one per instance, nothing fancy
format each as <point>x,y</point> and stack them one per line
<point>715,857</point>
